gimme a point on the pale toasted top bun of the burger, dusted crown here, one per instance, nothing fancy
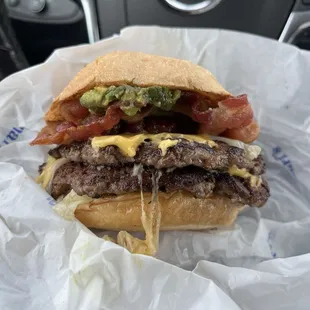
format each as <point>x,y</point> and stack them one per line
<point>134,68</point>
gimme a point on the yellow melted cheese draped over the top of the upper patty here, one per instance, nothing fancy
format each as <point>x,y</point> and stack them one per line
<point>128,144</point>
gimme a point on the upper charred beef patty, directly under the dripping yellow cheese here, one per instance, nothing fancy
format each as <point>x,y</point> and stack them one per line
<point>183,154</point>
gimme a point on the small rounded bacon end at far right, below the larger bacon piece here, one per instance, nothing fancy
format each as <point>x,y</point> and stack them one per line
<point>246,134</point>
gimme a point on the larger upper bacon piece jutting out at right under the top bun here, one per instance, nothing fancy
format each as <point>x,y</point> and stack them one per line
<point>234,112</point>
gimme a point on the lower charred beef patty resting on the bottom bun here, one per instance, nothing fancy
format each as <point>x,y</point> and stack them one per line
<point>96,181</point>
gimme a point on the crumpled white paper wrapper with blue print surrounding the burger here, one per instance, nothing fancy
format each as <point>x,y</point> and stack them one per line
<point>47,262</point>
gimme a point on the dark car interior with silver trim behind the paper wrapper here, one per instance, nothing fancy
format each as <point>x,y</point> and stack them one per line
<point>30,30</point>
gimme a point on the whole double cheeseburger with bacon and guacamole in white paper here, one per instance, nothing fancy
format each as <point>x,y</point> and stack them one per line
<point>149,143</point>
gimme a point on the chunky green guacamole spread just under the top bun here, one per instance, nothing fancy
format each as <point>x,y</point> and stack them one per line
<point>132,98</point>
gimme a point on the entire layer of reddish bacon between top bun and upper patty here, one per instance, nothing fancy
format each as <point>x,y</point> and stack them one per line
<point>232,117</point>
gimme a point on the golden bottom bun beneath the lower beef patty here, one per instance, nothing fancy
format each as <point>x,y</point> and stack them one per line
<point>179,211</point>
